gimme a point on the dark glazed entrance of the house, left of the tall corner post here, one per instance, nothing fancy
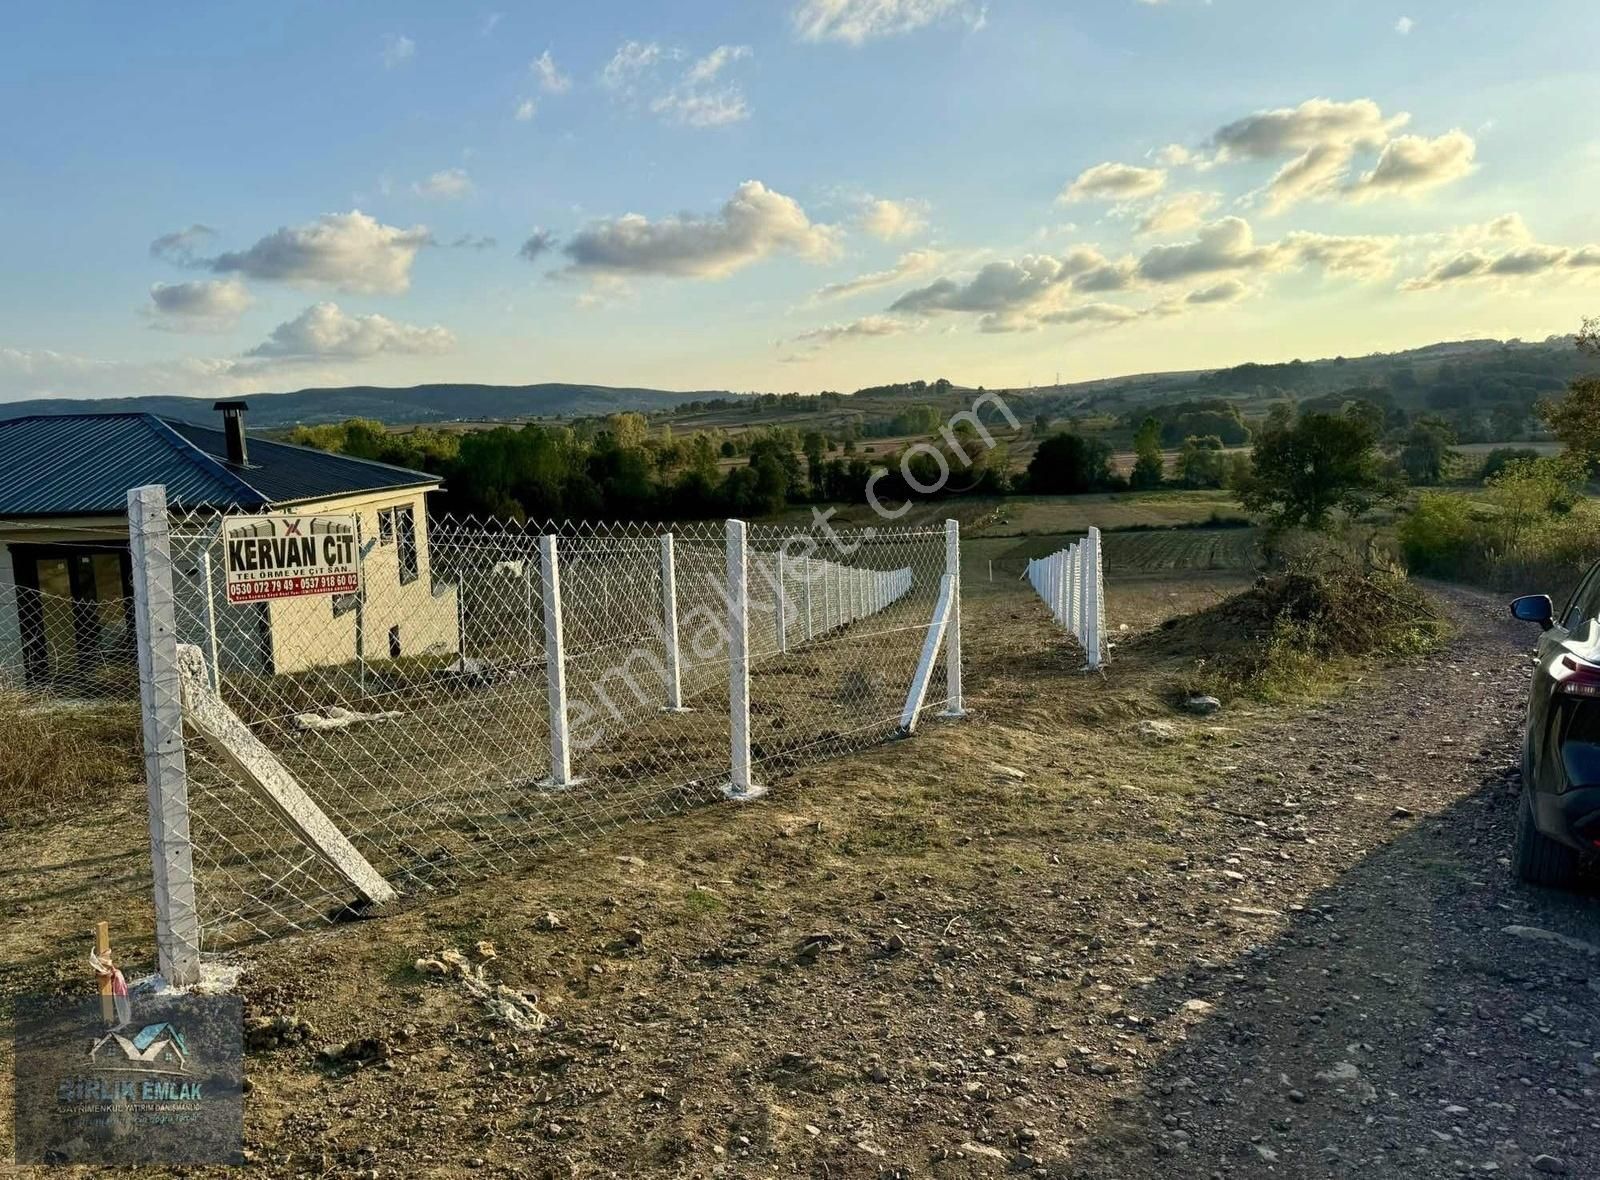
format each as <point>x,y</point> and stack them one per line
<point>74,610</point>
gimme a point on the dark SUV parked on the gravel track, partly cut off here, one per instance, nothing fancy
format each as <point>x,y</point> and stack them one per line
<point>1559,818</point>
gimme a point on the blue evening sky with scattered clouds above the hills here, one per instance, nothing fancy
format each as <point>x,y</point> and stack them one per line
<point>780,194</point>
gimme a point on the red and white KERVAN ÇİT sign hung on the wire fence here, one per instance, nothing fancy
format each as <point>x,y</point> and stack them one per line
<point>290,557</point>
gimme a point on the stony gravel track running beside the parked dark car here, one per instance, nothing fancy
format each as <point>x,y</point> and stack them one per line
<point>1393,1027</point>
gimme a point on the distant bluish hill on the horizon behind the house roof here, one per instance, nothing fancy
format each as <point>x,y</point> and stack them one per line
<point>396,407</point>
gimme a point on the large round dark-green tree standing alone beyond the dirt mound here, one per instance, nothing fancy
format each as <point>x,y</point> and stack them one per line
<point>1313,468</point>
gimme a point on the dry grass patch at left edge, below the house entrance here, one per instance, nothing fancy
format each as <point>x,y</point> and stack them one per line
<point>57,757</point>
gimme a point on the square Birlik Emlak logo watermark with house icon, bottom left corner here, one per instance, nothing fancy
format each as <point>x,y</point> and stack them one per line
<point>161,1083</point>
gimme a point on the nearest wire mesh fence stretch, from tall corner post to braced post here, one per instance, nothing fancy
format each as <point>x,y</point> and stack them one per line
<point>495,688</point>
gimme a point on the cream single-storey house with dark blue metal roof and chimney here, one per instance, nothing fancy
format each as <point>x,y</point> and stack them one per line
<point>66,599</point>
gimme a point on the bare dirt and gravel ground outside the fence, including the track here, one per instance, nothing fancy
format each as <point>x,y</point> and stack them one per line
<point>1044,941</point>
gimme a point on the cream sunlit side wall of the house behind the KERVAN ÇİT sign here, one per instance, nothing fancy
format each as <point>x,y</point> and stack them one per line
<point>308,634</point>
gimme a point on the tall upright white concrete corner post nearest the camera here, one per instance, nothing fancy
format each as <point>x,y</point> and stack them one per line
<point>162,716</point>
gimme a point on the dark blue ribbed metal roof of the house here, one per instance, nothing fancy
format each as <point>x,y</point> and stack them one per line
<point>84,464</point>
